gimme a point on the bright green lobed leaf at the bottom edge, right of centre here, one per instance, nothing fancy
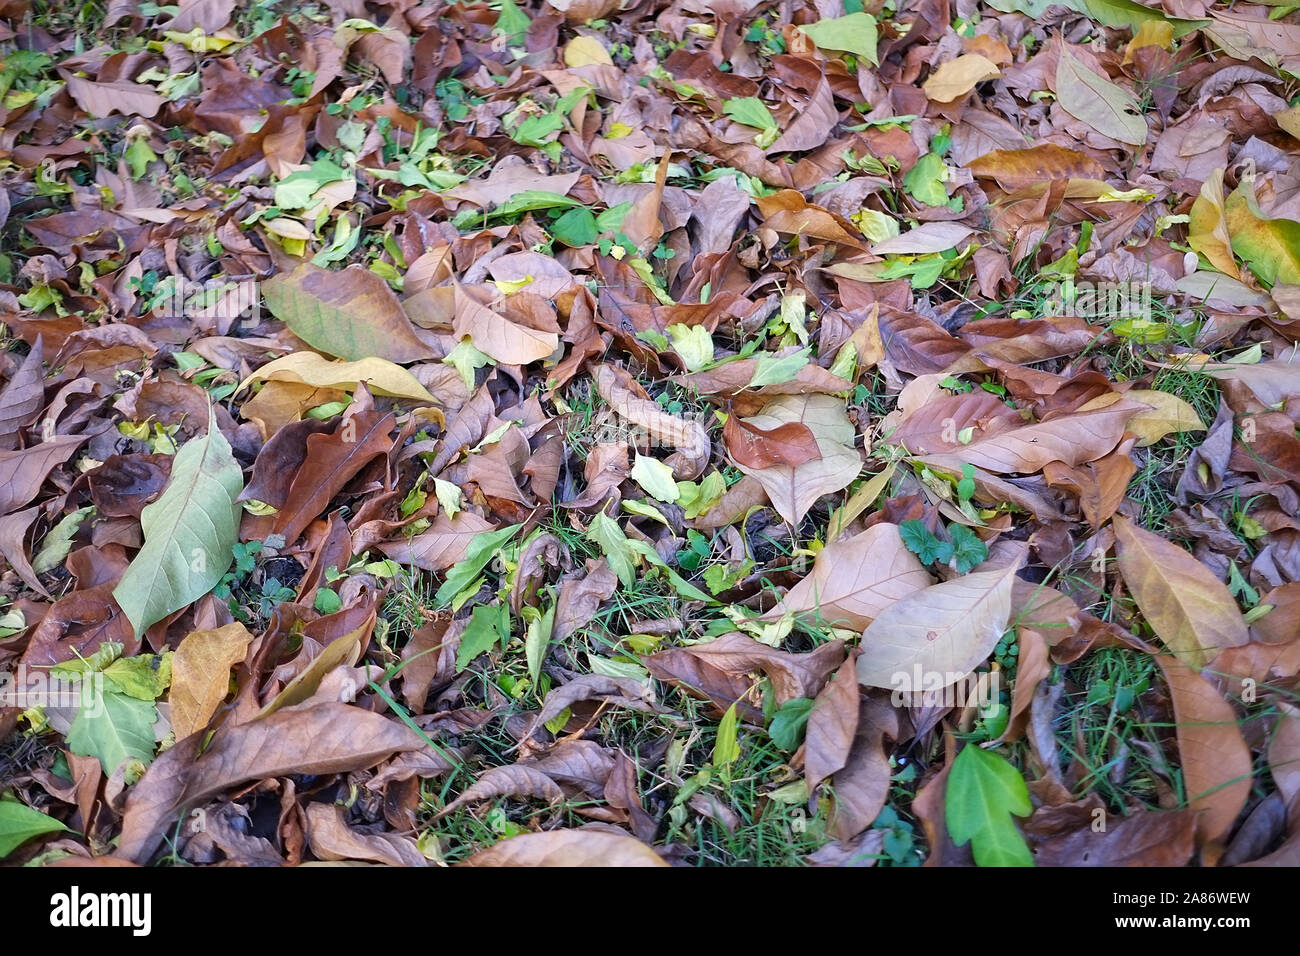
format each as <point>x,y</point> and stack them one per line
<point>983,793</point>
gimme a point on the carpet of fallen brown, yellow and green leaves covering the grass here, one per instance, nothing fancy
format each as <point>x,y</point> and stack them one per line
<point>575,432</point>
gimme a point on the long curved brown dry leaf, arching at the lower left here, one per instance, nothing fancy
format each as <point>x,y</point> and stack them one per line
<point>317,739</point>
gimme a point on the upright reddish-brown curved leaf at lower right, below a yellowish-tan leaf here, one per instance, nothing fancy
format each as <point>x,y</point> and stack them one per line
<point>1216,763</point>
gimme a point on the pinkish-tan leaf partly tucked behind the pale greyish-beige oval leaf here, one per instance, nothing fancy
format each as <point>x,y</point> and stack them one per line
<point>853,581</point>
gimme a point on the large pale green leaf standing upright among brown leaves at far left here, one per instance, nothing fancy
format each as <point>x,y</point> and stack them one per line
<point>189,533</point>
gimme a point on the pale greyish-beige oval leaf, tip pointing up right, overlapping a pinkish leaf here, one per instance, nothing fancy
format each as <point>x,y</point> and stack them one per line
<point>944,631</point>
